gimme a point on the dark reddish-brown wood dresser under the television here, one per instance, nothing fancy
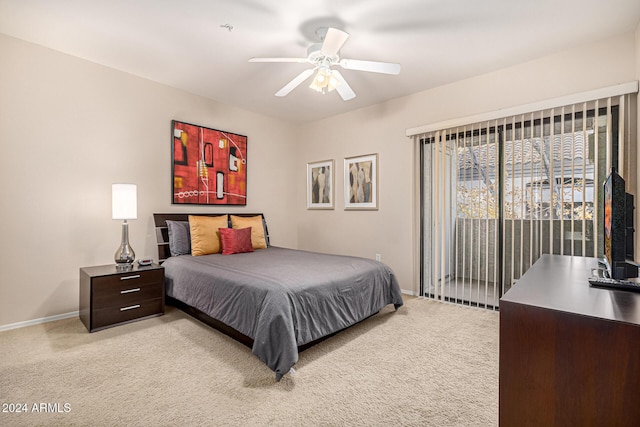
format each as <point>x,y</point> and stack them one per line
<point>569,353</point>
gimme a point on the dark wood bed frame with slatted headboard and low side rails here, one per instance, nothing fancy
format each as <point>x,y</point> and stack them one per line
<point>162,237</point>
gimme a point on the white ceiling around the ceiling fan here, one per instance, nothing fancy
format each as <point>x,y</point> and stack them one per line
<point>182,43</point>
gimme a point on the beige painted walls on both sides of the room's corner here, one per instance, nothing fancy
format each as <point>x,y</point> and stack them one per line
<point>69,128</point>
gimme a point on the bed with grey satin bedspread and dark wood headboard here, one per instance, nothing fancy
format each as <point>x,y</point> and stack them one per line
<point>277,301</point>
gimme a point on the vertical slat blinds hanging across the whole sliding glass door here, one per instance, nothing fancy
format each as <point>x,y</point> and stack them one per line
<point>499,193</point>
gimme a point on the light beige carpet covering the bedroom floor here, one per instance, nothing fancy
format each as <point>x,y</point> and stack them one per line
<point>429,364</point>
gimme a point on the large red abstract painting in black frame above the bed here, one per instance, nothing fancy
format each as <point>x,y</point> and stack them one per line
<point>208,166</point>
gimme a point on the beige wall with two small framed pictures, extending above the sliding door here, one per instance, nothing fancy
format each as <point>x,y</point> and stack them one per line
<point>391,230</point>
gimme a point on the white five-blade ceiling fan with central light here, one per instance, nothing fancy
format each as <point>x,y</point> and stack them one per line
<point>325,55</point>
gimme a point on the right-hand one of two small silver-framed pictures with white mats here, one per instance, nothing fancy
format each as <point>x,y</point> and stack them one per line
<point>361,182</point>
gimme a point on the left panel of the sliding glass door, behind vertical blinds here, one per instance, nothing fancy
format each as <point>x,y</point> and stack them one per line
<point>460,187</point>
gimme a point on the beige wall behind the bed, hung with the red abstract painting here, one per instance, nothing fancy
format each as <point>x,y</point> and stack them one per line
<point>69,129</point>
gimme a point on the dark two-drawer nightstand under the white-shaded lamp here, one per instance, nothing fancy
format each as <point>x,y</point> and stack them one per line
<point>110,296</point>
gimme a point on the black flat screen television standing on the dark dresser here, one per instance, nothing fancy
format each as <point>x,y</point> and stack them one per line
<point>618,229</point>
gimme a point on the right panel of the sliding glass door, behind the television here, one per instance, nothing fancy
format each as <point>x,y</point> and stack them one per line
<point>552,168</point>
